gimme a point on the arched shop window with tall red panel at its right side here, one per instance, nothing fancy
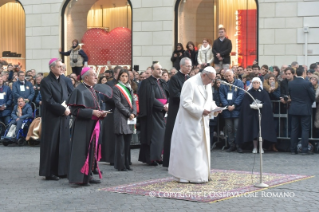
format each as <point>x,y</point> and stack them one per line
<point>198,19</point>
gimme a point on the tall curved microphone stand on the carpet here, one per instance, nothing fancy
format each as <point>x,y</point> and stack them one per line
<point>261,184</point>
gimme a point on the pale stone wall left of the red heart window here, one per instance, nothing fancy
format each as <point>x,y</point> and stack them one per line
<point>42,32</point>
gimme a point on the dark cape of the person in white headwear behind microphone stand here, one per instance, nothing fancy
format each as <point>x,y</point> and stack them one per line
<point>248,125</point>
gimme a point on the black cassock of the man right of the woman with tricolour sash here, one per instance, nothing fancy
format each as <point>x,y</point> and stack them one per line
<point>151,117</point>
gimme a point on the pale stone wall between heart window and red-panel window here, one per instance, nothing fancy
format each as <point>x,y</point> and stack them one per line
<point>153,32</point>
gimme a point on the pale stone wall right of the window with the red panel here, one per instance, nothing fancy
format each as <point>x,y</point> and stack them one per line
<point>281,36</point>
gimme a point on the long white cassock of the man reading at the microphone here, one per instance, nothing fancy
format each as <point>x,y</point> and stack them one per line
<point>190,143</point>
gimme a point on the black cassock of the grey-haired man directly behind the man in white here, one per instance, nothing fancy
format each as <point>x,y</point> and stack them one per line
<point>175,88</point>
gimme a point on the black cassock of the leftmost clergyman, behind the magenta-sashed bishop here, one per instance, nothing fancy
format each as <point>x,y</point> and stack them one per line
<point>55,136</point>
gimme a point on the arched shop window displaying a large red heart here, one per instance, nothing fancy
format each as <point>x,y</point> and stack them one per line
<point>103,27</point>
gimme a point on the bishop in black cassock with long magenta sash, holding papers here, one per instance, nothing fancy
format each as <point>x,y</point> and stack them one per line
<point>85,149</point>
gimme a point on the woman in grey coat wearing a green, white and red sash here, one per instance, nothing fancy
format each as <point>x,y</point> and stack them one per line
<point>125,108</point>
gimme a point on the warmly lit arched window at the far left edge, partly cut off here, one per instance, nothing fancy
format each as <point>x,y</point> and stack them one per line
<point>12,33</point>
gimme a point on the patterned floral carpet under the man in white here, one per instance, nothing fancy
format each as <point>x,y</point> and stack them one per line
<point>225,184</point>
